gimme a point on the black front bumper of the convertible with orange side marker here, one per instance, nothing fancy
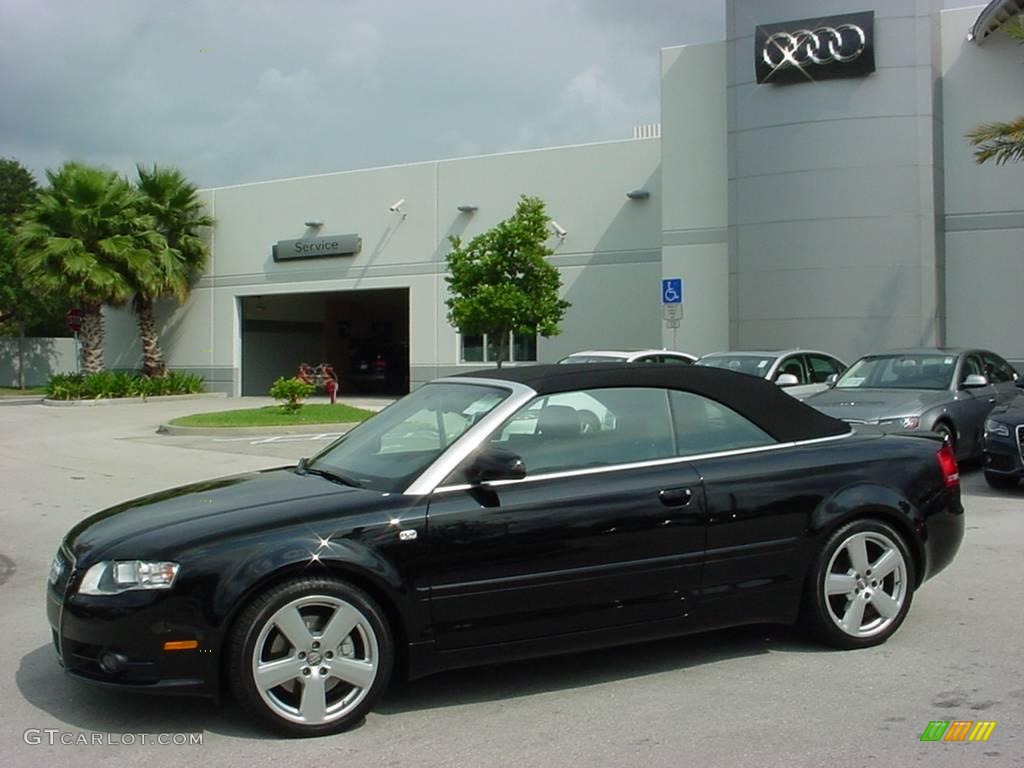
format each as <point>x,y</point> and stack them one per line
<point>118,641</point>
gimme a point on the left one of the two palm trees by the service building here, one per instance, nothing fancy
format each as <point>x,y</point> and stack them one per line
<point>80,240</point>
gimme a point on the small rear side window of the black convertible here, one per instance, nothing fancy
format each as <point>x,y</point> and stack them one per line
<point>704,426</point>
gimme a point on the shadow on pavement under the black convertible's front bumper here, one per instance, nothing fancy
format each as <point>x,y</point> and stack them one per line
<point>79,705</point>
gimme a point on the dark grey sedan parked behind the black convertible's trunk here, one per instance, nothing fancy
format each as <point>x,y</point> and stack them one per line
<point>948,392</point>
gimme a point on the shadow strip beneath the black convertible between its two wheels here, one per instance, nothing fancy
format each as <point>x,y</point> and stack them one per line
<point>480,685</point>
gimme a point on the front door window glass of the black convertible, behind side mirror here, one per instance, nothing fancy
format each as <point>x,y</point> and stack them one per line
<point>589,429</point>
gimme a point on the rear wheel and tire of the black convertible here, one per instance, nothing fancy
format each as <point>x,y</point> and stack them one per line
<point>848,604</point>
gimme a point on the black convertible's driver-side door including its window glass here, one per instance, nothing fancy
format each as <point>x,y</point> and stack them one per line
<point>606,530</point>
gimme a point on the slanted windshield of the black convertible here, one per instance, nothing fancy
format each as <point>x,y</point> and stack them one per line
<point>387,452</point>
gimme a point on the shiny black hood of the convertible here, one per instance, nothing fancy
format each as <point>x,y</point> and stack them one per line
<point>205,505</point>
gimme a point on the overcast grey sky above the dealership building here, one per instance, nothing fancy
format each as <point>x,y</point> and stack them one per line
<point>245,92</point>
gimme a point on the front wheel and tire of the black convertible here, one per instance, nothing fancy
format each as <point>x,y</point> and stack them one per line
<point>295,670</point>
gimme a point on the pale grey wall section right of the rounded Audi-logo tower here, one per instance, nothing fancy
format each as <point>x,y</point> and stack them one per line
<point>985,205</point>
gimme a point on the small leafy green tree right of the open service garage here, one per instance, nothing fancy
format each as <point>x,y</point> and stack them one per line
<point>500,283</point>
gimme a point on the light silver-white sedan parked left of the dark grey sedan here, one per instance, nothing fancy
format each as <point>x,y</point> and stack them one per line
<point>800,372</point>
